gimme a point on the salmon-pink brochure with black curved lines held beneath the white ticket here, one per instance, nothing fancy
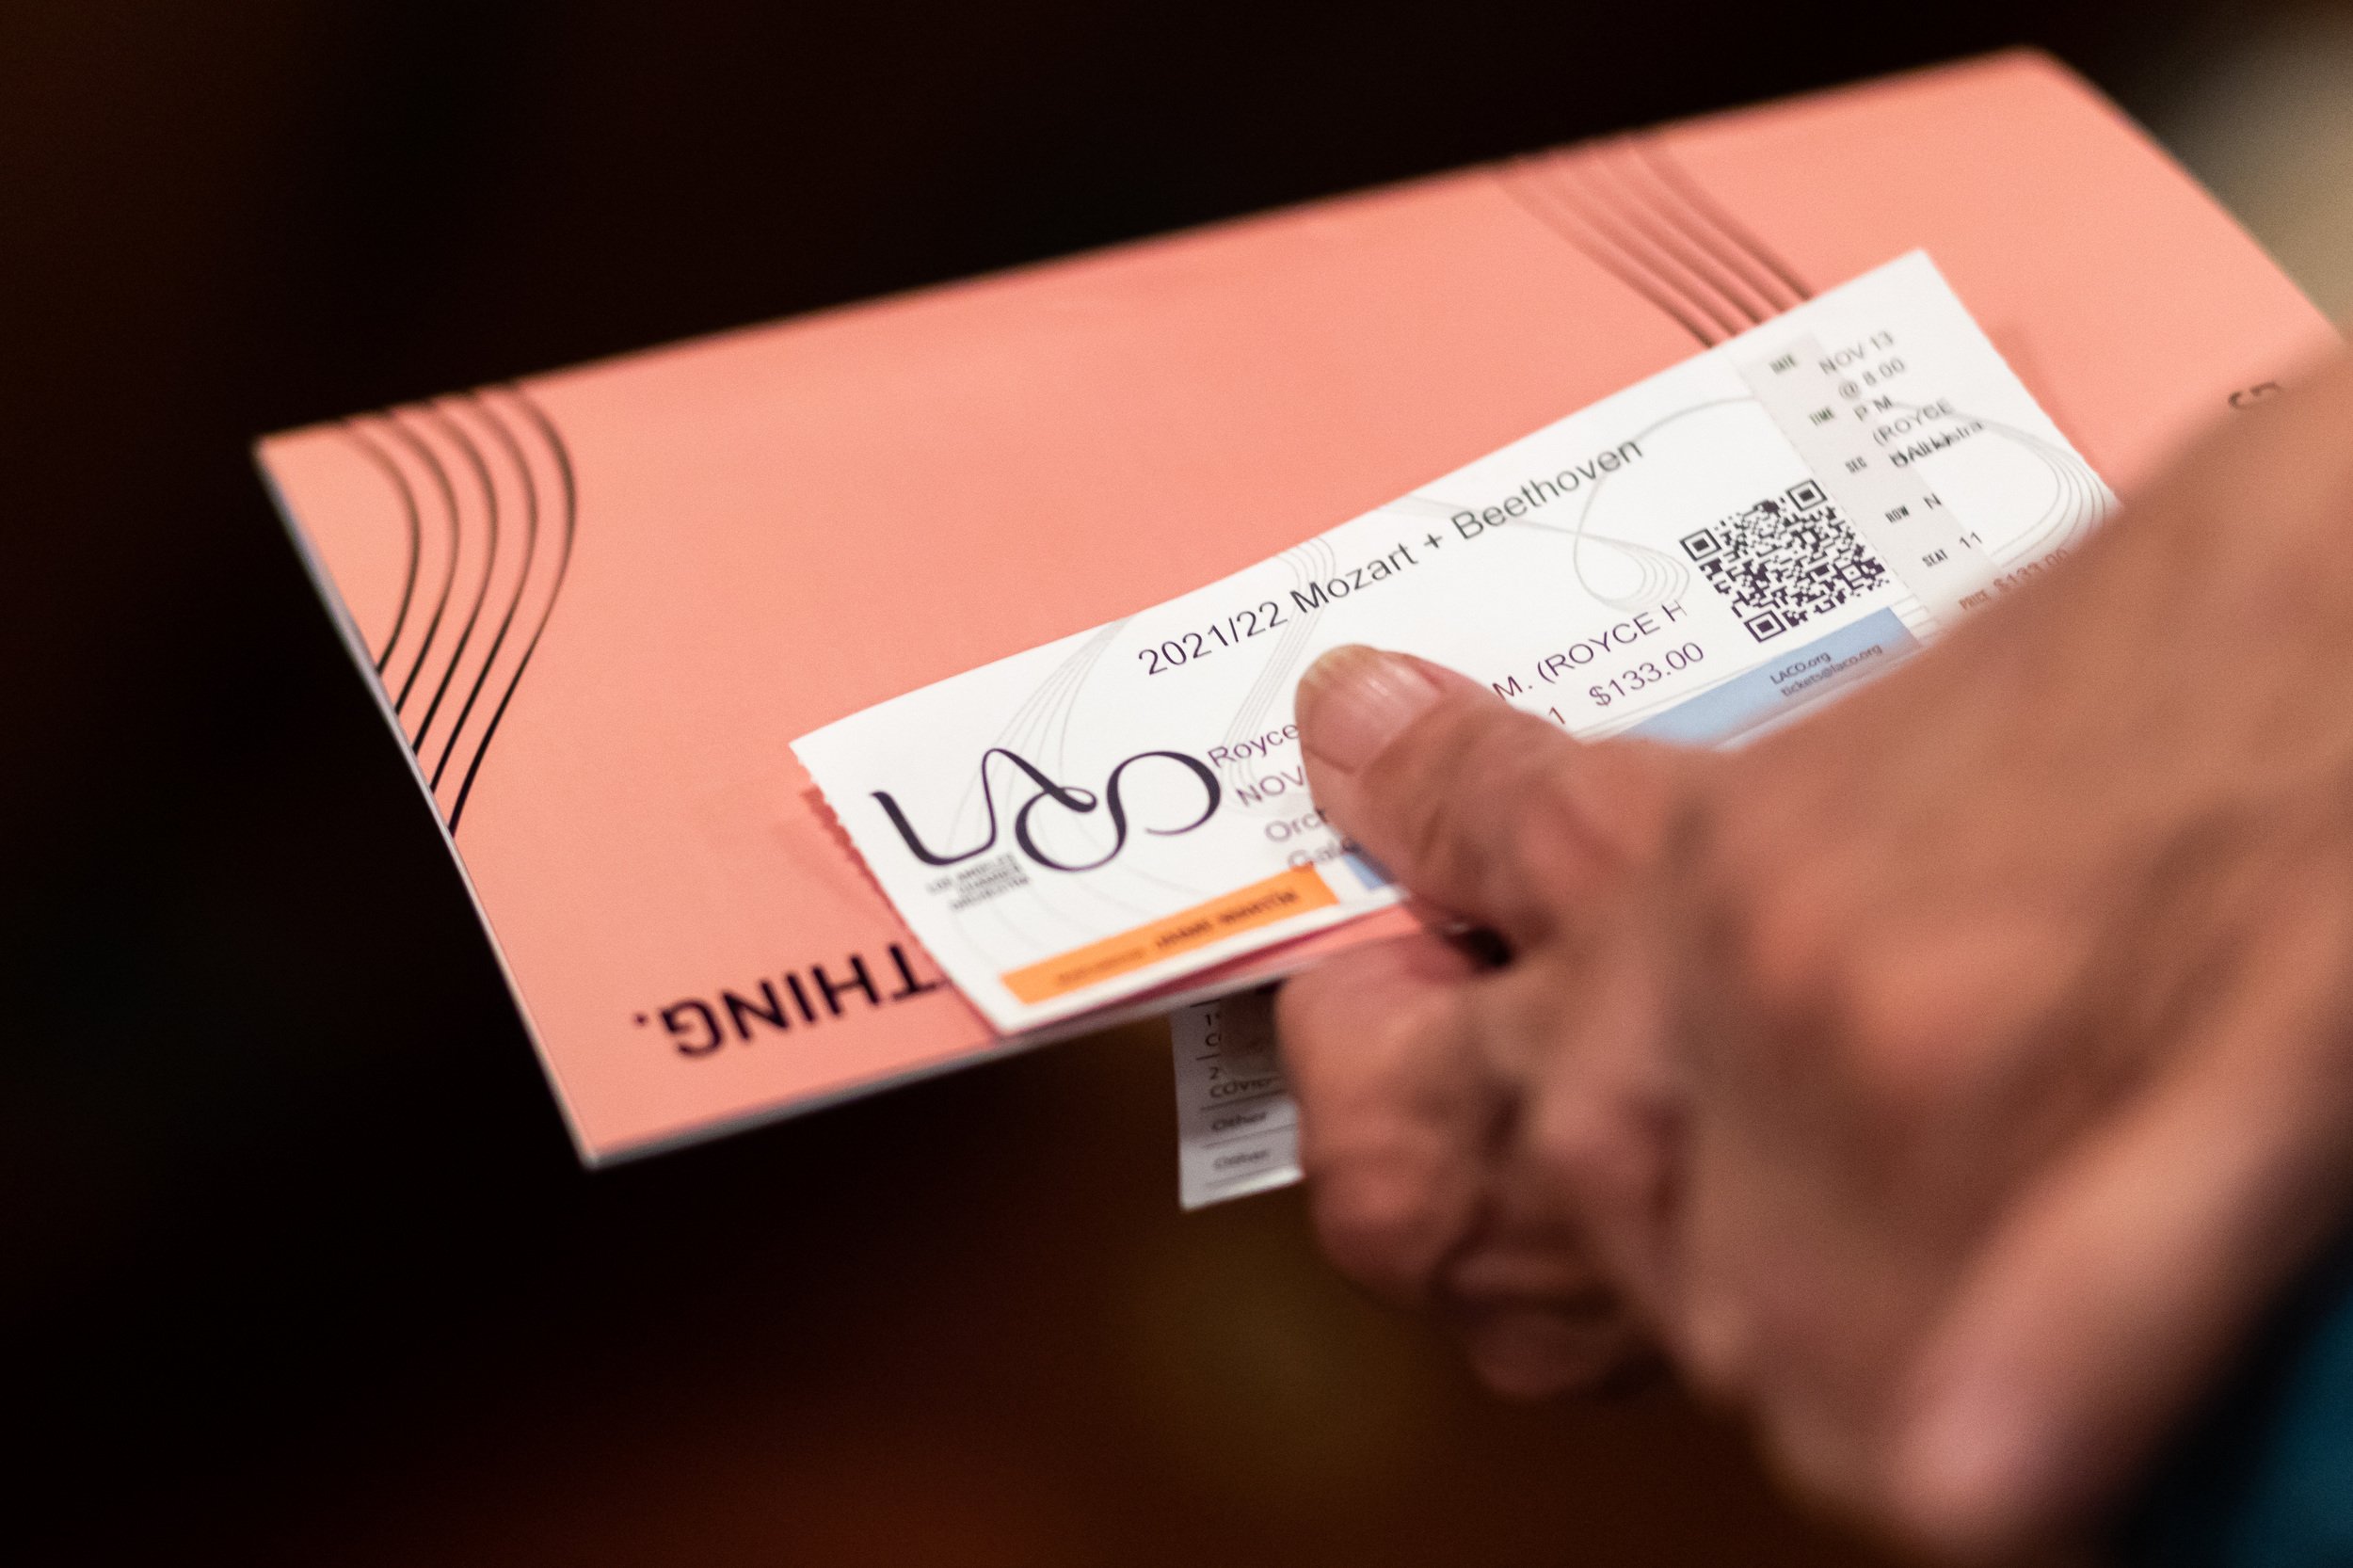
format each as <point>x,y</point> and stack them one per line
<point>601,604</point>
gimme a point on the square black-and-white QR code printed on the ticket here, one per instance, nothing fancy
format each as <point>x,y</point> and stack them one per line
<point>1787,559</point>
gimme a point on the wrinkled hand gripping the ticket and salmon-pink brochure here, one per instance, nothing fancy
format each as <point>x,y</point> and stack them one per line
<point>1947,1079</point>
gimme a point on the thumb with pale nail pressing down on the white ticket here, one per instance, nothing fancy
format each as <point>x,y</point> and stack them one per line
<point>1474,806</point>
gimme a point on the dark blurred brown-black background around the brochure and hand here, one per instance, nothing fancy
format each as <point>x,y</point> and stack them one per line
<point>295,1261</point>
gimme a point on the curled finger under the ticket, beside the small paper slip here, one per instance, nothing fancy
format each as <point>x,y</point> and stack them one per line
<point>1397,1112</point>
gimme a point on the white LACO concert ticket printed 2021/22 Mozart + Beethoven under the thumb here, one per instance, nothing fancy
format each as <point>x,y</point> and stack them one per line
<point>1691,559</point>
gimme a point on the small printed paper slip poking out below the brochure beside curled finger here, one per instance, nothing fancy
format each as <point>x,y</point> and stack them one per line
<point>1237,1122</point>
